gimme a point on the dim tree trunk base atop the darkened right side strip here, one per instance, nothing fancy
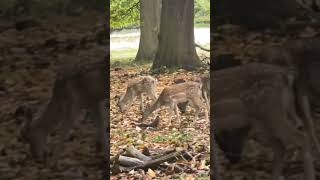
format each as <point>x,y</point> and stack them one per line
<point>253,13</point>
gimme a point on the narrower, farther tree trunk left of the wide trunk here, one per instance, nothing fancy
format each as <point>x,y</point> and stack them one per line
<point>150,12</point>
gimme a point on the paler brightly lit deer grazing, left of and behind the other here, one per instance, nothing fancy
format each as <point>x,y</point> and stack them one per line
<point>136,87</point>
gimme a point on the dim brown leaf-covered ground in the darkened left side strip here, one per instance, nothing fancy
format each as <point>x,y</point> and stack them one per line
<point>29,60</point>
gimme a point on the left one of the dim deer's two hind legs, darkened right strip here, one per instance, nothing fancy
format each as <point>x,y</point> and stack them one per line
<point>278,159</point>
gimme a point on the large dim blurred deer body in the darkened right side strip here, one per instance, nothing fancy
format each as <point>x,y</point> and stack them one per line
<point>260,96</point>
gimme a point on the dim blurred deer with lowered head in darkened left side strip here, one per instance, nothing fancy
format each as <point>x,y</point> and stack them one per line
<point>80,89</point>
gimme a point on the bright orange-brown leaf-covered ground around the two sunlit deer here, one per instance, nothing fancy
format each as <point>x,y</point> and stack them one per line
<point>125,132</point>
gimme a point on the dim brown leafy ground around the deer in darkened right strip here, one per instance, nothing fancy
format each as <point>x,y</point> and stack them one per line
<point>246,45</point>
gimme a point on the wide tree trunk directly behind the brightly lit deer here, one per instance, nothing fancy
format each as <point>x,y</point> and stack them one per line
<point>176,39</point>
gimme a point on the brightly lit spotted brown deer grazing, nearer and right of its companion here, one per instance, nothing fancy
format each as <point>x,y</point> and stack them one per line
<point>178,93</point>
